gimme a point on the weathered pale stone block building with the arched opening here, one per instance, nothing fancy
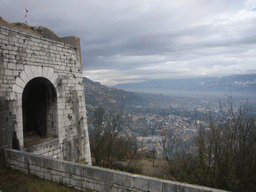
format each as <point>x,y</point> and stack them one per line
<point>41,82</point>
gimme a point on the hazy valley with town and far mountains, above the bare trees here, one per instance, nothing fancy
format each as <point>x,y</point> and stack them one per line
<point>186,106</point>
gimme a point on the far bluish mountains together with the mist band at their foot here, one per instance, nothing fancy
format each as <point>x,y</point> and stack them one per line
<point>240,86</point>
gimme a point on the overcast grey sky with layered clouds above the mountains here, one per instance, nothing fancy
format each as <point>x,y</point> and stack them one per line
<point>134,40</point>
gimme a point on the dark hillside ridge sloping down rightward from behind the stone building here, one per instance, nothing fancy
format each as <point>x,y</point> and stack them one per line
<point>97,94</point>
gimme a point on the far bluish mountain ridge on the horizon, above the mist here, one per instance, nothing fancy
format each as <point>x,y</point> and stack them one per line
<point>234,83</point>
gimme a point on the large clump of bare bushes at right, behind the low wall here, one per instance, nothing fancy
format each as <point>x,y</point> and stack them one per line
<point>225,155</point>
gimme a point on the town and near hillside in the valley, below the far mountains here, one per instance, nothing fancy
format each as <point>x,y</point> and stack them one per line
<point>149,117</point>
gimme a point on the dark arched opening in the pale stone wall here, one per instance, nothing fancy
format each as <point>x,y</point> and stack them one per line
<point>39,109</point>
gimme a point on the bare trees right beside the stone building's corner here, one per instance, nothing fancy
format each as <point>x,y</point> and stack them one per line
<point>108,145</point>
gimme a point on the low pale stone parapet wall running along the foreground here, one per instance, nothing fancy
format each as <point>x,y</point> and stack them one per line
<point>87,177</point>
